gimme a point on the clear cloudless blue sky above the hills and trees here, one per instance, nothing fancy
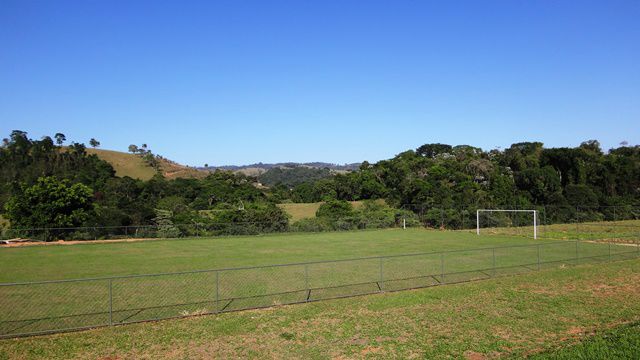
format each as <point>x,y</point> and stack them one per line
<point>232,82</point>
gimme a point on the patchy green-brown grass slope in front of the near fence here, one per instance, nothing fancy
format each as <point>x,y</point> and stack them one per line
<point>508,317</point>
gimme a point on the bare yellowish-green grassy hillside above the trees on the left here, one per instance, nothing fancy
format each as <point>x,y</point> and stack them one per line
<point>132,165</point>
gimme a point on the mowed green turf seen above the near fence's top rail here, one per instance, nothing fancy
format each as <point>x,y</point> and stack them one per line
<point>55,262</point>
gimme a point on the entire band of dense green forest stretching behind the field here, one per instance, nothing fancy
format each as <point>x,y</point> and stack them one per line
<point>44,183</point>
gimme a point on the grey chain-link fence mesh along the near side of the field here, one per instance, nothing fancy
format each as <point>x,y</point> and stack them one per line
<point>53,306</point>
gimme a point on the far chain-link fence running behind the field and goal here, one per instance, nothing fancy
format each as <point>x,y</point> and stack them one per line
<point>613,223</point>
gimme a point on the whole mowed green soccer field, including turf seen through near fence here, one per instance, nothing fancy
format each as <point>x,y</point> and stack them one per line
<point>196,276</point>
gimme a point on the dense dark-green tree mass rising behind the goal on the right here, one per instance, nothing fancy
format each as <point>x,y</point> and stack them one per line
<point>525,175</point>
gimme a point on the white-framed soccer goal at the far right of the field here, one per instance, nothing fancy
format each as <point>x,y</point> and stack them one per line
<point>507,222</point>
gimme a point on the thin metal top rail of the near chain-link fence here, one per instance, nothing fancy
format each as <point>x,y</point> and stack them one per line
<point>104,278</point>
